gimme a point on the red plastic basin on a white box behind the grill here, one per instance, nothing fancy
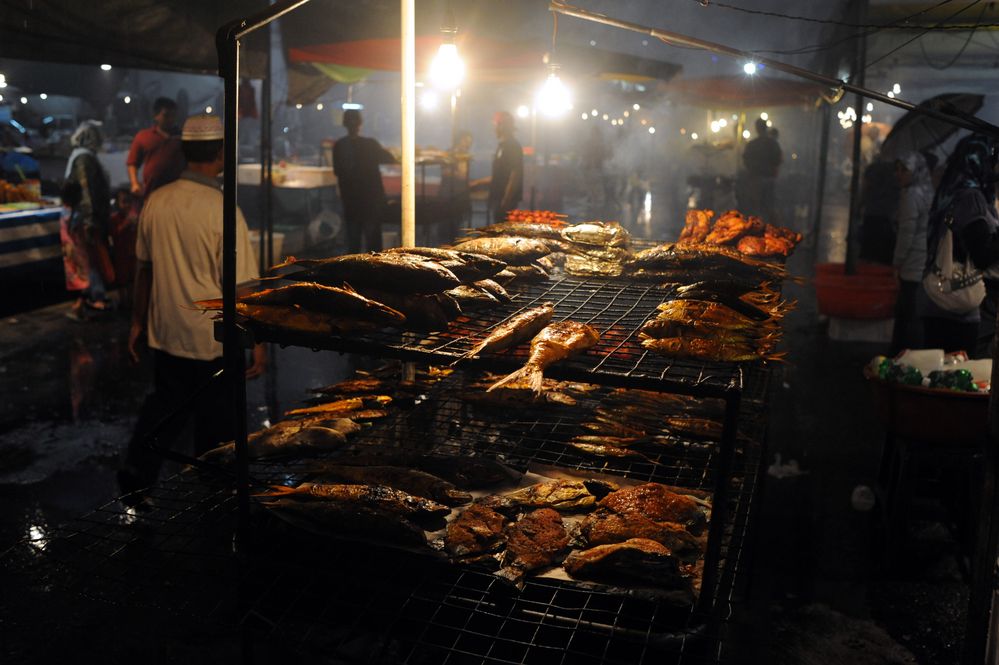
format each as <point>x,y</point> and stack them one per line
<point>868,294</point>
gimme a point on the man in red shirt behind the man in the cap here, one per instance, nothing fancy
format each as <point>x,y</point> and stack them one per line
<point>156,150</point>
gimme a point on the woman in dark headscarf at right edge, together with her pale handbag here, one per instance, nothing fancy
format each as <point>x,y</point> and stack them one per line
<point>961,287</point>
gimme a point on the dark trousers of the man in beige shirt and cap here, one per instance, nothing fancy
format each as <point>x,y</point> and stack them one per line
<point>176,384</point>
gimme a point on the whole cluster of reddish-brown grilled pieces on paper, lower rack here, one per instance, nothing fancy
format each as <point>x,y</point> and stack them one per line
<point>523,531</point>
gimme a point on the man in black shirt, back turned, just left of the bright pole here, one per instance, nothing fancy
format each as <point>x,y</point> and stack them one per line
<point>355,163</point>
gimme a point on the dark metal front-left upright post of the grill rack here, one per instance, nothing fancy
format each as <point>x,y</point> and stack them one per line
<point>233,352</point>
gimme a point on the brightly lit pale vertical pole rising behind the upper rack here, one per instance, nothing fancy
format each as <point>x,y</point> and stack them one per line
<point>408,94</point>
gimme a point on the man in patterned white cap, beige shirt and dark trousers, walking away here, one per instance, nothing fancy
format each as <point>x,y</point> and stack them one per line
<point>179,252</point>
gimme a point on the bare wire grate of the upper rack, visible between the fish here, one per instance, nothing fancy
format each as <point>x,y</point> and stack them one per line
<point>616,308</point>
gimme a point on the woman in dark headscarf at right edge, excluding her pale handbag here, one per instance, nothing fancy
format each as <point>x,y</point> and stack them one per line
<point>967,195</point>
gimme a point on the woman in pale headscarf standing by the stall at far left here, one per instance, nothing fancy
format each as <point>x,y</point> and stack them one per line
<point>92,213</point>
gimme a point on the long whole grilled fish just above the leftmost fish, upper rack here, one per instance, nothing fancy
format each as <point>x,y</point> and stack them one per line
<point>402,273</point>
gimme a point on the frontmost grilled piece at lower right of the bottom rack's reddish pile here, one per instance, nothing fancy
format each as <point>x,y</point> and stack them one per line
<point>638,560</point>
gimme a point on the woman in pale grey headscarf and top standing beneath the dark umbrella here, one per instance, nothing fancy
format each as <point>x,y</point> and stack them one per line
<point>913,174</point>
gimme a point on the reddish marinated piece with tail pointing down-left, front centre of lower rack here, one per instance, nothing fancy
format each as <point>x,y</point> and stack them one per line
<point>536,540</point>
